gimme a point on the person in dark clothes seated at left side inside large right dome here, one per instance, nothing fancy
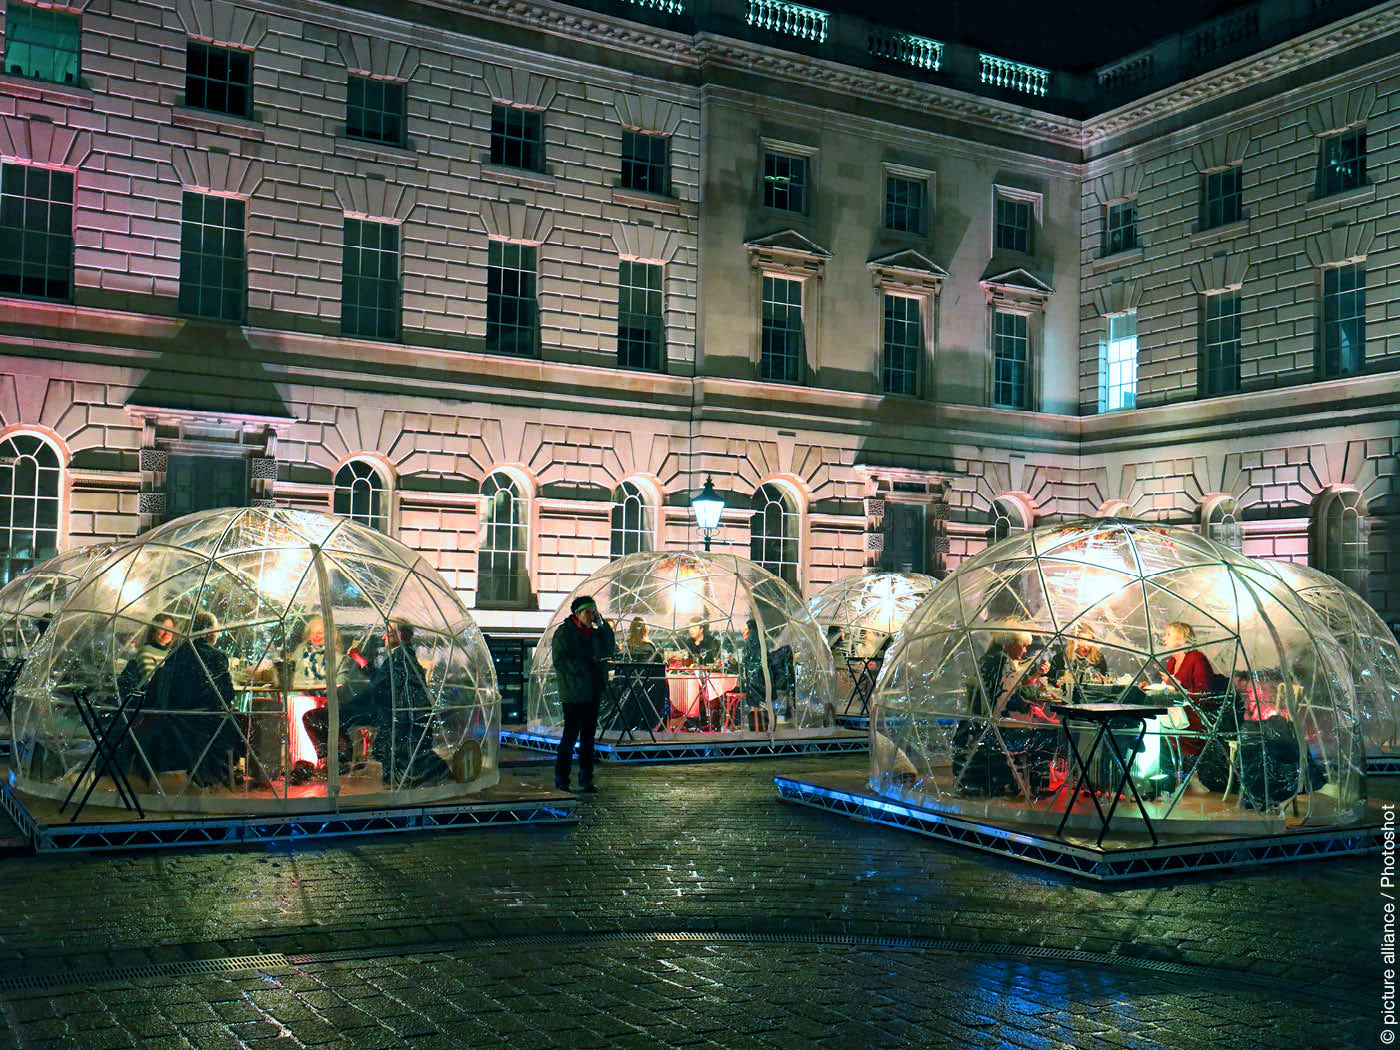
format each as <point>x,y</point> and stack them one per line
<point>979,761</point>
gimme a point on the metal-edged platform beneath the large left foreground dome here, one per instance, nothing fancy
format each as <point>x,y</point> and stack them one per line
<point>492,810</point>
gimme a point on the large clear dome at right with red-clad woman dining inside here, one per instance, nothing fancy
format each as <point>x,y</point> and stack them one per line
<point>1261,720</point>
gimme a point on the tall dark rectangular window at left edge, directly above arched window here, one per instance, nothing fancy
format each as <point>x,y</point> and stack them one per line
<point>36,233</point>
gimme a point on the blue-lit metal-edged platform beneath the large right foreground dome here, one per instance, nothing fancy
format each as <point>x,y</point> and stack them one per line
<point>1083,859</point>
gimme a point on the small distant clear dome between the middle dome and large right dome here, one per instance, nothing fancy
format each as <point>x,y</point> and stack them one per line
<point>859,617</point>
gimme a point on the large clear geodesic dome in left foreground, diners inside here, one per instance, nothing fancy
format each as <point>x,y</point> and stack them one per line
<point>279,659</point>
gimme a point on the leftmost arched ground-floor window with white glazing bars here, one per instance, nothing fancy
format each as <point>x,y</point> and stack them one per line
<point>30,479</point>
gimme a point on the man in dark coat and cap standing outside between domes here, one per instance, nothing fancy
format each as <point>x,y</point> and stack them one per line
<point>580,647</point>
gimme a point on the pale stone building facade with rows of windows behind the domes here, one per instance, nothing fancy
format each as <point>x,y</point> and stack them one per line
<point>510,281</point>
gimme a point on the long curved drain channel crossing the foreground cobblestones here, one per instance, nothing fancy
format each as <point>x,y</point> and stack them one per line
<point>1210,976</point>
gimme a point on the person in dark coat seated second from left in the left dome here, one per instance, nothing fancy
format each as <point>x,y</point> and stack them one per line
<point>191,696</point>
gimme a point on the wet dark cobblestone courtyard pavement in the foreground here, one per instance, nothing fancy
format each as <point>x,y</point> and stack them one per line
<point>548,937</point>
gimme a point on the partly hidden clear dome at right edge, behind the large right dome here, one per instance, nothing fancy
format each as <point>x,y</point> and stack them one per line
<point>1367,645</point>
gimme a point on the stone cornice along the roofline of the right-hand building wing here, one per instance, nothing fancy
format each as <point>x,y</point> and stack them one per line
<point>1247,72</point>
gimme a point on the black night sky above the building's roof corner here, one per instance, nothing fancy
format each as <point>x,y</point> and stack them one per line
<point>1062,36</point>
